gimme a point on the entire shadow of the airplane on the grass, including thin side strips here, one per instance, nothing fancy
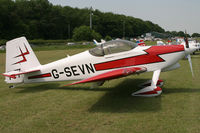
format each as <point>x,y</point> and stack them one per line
<point>117,99</point>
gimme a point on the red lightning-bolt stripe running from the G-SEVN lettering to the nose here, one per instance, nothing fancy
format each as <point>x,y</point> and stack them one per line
<point>151,56</point>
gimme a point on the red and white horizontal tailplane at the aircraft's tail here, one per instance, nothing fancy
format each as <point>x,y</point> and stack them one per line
<point>13,74</point>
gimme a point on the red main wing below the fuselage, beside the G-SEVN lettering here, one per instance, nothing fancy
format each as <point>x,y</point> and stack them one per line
<point>112,75</point>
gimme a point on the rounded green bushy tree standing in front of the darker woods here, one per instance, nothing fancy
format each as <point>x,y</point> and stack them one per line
<point>84,33</point>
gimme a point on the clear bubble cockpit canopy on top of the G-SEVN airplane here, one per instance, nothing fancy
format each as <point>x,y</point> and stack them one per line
<point>111,47</point>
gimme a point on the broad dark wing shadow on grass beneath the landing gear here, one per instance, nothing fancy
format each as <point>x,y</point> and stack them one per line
<point>119,100</point>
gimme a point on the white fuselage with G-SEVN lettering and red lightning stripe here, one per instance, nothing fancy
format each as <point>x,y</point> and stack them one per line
<point>84,65</point>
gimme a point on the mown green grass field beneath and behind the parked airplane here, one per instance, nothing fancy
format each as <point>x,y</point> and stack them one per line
<point>53,108</point>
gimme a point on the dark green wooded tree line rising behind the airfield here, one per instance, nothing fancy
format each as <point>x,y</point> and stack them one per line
<point>39,19</point>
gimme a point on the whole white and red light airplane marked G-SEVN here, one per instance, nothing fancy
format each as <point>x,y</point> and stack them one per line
<point>110,60</point>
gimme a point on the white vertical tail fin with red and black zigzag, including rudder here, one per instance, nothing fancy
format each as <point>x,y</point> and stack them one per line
<point>19,58</point>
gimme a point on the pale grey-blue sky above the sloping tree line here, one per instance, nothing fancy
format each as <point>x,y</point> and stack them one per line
<point>172,15</point>
